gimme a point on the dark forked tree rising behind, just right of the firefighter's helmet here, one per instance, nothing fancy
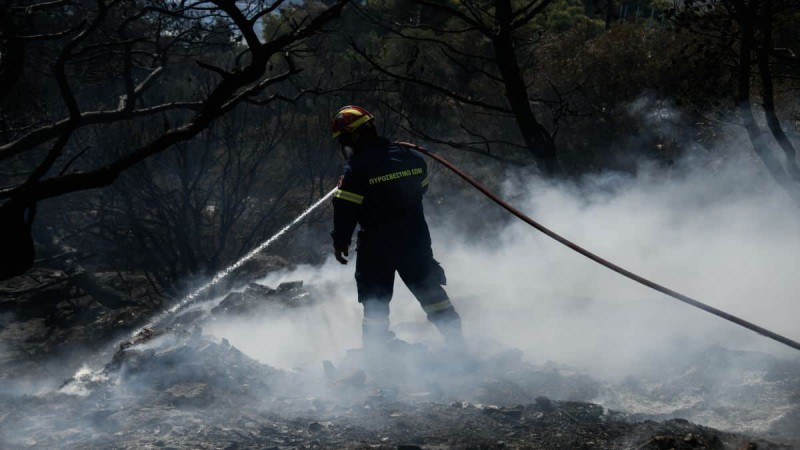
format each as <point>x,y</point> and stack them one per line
<point>490,40</point>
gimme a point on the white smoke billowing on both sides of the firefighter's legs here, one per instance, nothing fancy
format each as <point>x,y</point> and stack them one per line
<point>715,231</point>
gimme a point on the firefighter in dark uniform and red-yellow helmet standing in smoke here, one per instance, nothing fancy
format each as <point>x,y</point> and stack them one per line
<point>381,189</point>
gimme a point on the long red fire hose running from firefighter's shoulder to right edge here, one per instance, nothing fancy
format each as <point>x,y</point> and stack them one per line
<point>624,272</point>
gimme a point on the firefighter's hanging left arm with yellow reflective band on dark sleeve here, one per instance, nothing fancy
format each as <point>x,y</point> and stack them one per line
<point>346,203</point>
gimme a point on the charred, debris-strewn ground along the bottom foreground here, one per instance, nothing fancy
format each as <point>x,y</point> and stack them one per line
<point>184,390</point>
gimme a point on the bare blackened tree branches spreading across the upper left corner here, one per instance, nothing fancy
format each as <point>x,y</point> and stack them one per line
<point>242,84</point>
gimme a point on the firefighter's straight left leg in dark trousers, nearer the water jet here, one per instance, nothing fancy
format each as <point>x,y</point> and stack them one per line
<point>375,281</point>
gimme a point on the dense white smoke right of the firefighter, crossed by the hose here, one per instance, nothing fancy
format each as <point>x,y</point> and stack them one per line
<point>707,237</point>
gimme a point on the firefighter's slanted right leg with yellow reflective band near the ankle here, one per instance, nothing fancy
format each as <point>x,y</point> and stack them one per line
<point>424,278</point>
